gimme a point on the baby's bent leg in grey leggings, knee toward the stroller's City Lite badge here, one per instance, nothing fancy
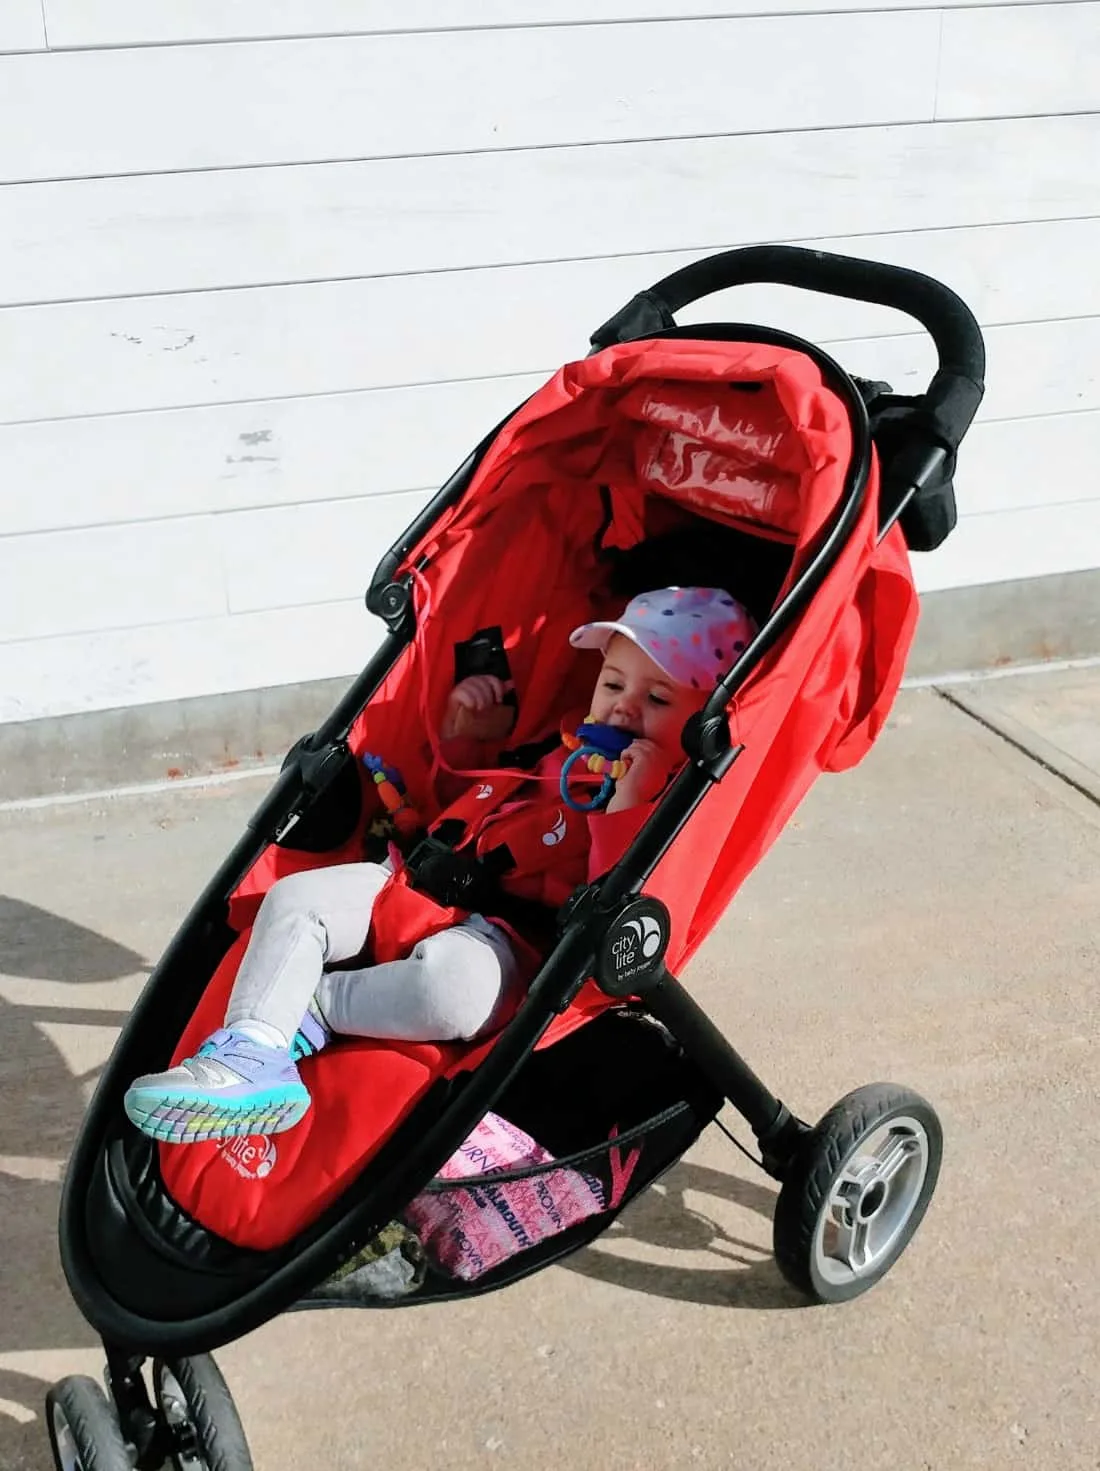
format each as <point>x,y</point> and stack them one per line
<point>458,983</point>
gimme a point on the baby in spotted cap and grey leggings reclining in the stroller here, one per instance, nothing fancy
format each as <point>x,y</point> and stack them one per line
<point>661,660</point>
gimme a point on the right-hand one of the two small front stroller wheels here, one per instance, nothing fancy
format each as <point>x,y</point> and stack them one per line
<point>199,1413</point>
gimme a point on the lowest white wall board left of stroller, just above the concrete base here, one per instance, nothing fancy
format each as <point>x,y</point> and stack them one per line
<point>42,677</point>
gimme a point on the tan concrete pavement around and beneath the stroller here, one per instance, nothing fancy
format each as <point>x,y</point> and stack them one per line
<point>932,919</point>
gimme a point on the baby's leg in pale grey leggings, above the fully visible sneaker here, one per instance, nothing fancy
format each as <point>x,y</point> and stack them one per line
<point>307,922</point>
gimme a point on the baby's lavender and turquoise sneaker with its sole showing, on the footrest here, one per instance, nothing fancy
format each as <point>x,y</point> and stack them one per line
<point>233,1086</point>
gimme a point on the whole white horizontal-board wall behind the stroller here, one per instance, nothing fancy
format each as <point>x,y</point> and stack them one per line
<point>258,299</point>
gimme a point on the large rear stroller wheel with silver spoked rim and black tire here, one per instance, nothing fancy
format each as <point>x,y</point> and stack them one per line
<point>857,1192</point>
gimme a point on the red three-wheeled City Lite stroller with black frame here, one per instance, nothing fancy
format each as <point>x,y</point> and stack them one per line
<point>726,455</point>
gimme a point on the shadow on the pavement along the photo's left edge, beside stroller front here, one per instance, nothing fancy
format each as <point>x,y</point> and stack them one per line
<point>45,1103</point>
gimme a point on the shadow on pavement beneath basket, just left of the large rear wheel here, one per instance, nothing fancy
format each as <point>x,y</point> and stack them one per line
<point>745,1273</point>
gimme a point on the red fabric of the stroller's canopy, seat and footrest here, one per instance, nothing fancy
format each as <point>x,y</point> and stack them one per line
<point>739,433</point>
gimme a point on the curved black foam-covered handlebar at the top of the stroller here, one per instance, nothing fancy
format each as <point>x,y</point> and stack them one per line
<point>958,386</point>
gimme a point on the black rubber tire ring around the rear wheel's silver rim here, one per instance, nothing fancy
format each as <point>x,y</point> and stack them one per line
<point>821,1158</point>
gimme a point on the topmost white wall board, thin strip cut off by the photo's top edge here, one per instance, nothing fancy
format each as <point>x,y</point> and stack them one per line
<point>136,23</point>
